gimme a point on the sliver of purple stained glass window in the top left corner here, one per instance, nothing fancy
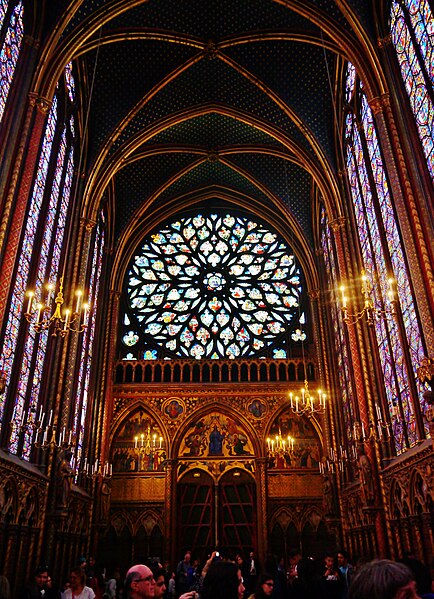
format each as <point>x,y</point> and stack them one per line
<point>12,22</point>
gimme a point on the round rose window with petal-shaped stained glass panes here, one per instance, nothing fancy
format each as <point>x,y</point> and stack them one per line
<point>213,286</point>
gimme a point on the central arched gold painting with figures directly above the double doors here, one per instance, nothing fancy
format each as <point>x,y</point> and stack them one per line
<point>215,435</point>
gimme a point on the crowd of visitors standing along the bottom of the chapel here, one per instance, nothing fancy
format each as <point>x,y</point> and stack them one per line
<point>221,577</point>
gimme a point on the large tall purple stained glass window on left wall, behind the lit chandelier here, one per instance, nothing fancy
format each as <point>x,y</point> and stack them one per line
<point>47,216</point>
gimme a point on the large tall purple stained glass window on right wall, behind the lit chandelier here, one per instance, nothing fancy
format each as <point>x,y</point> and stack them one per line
<point>365,165</point>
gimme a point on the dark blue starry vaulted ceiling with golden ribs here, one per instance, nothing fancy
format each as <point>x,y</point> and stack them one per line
<point>232,99</point>
